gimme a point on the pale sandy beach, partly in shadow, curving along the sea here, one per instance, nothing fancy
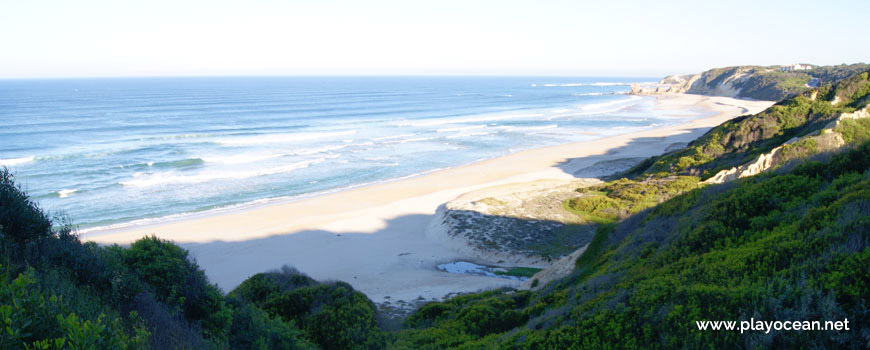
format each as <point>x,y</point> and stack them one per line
<point>374,237</point>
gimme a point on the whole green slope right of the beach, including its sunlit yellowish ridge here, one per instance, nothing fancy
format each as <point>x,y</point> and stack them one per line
<point>669,251</point>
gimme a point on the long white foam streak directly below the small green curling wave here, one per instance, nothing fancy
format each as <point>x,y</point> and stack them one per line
<point>166,178</point>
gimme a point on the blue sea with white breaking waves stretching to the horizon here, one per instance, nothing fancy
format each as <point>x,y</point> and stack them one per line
<point>111,152</point>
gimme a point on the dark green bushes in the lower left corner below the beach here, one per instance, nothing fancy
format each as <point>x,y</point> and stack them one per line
<point>58,293</point>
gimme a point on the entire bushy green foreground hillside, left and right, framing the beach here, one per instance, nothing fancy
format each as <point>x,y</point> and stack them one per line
<point>789,244</point>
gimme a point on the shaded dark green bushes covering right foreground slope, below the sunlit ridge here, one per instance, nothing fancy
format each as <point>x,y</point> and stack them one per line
<point>772,247</point>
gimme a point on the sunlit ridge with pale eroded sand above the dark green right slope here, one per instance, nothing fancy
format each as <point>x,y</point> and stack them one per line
<point>749,144</point>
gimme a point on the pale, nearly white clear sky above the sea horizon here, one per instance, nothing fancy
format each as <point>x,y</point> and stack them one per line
<point>95,38</point>
